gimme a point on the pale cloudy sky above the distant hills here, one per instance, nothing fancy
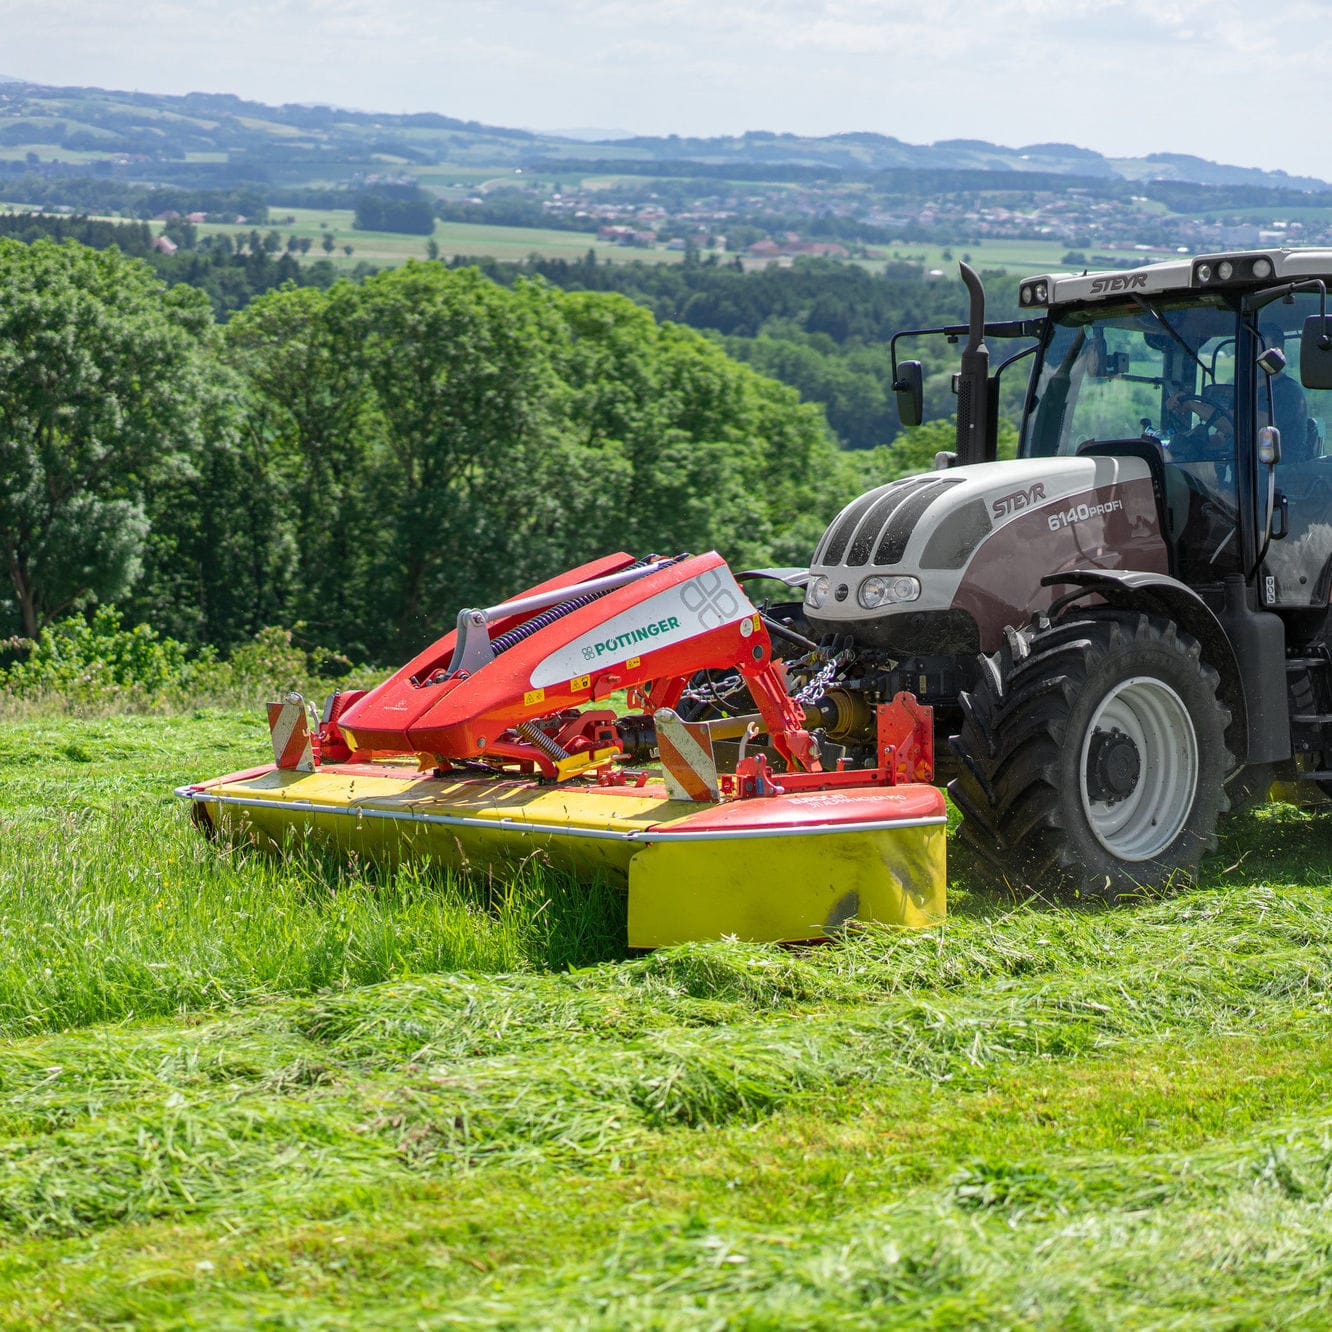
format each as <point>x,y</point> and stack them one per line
<point>1226,81</point>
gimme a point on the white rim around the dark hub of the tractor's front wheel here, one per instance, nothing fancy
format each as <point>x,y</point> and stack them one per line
<point>1149,819</point>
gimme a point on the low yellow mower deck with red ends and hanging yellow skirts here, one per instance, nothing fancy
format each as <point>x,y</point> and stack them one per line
<point>768,869</point>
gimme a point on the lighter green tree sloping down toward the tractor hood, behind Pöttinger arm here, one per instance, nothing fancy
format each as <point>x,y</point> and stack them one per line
<point>663,443</point>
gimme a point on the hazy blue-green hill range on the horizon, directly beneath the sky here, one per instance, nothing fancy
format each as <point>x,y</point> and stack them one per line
<point>226,141</point>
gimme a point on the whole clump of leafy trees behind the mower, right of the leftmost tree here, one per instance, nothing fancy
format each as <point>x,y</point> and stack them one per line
<point>444,442</point>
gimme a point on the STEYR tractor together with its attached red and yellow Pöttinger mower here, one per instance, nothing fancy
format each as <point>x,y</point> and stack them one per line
<point>1104,645</point>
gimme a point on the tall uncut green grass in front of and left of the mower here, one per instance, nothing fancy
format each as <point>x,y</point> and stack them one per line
<point>114,906</point>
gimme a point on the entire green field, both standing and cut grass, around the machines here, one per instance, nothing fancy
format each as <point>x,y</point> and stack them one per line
<point>250,1094</point>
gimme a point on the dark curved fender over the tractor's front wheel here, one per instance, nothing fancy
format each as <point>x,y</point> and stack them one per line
<point>1246,647</point>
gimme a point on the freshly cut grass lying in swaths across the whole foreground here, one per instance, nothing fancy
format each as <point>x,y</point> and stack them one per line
<point>619,1146</point>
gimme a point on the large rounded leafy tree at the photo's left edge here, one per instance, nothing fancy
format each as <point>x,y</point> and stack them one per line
<point>101,391</point>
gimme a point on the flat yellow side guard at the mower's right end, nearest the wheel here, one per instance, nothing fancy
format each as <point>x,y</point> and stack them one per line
<point>784,889</point>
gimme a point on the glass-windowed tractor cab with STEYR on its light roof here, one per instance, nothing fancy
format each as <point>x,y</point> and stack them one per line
<point>1191,371</point>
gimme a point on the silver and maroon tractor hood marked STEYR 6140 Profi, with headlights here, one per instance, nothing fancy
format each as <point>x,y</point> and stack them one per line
<point>944,560</point>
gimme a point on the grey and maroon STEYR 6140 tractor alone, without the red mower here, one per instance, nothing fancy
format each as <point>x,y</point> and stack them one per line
<point>1124,632</point>
